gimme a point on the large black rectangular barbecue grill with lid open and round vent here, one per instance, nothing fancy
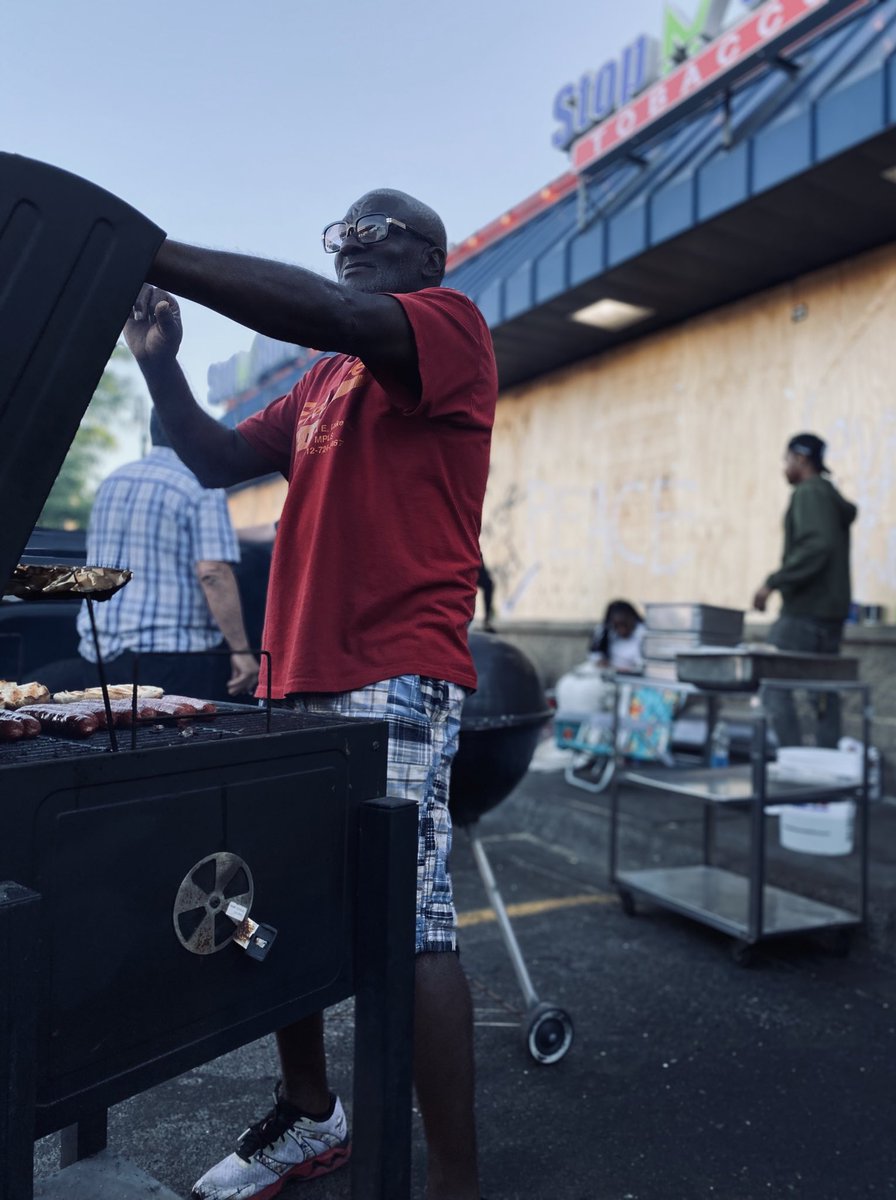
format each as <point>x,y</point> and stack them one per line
<point>105,988</point>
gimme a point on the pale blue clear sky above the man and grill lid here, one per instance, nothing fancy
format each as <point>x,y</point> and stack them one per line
<point>251,125</point>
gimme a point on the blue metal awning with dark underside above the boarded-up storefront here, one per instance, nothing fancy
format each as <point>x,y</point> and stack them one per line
<point>780,178</point>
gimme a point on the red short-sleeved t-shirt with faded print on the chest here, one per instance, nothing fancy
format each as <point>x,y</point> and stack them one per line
<point>377,554</point>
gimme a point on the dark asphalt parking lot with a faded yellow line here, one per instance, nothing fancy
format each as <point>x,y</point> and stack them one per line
<point>690,1076</point>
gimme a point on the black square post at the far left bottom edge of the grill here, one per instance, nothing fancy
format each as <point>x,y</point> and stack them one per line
<point>20,965</point>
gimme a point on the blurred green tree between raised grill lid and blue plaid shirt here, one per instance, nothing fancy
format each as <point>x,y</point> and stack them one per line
<point>116,407</point>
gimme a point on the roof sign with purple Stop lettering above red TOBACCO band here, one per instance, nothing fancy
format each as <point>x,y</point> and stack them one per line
<point>653,80</point>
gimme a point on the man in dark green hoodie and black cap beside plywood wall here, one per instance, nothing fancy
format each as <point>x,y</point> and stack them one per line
<point>814,580</point>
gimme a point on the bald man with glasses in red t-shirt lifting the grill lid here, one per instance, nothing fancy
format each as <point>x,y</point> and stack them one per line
<point>374,584</point>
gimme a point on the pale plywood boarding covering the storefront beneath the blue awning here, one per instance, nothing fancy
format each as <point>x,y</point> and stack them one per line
<point>654,472</point>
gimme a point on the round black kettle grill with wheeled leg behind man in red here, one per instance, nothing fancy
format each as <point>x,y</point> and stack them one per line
<point>500,730</point>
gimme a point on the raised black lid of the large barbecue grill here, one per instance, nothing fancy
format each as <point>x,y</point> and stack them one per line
<point>73,260</point>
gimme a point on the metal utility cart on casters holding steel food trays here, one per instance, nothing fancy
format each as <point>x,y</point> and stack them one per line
<point>744,905</point>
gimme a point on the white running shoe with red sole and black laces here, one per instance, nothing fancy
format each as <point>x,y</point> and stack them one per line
<point>285,1147</point>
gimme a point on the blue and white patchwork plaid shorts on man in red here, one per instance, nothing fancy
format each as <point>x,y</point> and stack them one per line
<point>424,718</point>
